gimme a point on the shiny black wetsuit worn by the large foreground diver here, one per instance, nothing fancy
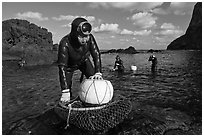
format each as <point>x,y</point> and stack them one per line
<point>72,56</point>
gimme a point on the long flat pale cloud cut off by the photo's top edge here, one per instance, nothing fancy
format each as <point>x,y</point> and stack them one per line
<point>125,5</point>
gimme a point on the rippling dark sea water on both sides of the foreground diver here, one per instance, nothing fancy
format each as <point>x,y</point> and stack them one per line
<point>175,86</point>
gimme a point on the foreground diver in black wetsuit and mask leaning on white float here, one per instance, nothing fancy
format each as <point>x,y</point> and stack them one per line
<point>74,53</point>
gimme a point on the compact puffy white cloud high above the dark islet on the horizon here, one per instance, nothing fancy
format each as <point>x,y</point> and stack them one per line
<point>143,20</point>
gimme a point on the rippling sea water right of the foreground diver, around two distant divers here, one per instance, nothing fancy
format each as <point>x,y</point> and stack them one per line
<point>178,79</point>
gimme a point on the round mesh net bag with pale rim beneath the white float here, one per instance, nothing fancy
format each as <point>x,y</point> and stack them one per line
<point>98,118</point>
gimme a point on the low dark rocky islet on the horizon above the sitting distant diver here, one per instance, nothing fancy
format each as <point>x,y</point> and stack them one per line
<point>129,50</point>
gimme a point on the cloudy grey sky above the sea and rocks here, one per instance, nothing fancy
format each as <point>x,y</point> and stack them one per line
<point>143,25</point>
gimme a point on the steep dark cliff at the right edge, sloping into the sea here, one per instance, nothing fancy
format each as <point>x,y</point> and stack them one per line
<point>192,39</point>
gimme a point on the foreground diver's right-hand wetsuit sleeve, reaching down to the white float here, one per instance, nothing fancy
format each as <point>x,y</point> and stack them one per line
<point>95,53</point>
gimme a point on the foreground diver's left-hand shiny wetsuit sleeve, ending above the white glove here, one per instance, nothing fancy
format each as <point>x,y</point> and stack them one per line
<point>62,64</point>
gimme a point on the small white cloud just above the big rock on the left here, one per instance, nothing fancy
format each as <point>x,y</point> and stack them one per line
<point>31,15</point>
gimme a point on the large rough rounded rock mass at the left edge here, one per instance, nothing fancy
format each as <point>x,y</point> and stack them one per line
<point>27,41</point>
